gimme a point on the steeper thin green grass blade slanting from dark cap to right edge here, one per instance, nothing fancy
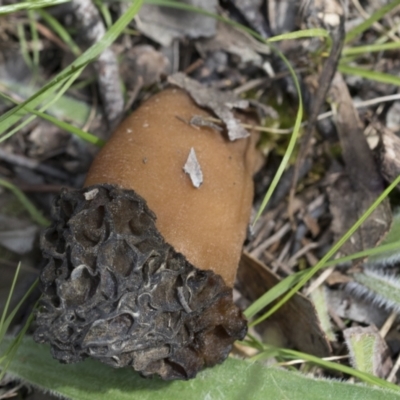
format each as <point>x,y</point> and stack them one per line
<point>321,264</point>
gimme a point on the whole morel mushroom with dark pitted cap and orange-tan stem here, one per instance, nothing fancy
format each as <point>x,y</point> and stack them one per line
<point>140,264</point>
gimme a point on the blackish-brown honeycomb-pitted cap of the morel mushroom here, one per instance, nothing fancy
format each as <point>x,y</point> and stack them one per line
<point>113,289</point>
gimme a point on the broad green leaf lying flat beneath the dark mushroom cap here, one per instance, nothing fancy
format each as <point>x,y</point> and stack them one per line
<point>234,379</point>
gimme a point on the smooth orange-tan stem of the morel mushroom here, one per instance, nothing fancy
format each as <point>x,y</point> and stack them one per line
<point>147,153</point>
